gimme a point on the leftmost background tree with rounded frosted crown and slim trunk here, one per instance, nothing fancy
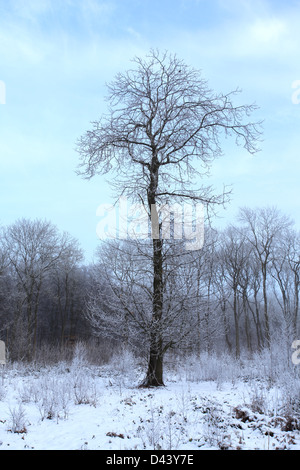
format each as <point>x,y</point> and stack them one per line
<point>33,248</point>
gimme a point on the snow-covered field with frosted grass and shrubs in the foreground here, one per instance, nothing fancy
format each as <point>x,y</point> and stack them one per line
<point>212,404</point>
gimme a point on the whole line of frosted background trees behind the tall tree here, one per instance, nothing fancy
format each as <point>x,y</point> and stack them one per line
<point>239,292</point>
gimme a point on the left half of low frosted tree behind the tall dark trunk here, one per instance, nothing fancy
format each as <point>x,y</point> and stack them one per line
<point>120,300</point>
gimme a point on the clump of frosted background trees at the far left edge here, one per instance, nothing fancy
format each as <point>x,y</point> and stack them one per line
<point>43,286</point>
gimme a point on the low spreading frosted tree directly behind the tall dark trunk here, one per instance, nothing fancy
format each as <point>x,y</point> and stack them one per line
<point>120,306</point>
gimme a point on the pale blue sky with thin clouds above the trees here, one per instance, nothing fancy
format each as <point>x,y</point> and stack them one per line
<point>56,57</point>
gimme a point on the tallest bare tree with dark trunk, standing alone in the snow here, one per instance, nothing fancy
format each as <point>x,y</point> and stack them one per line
<point>158,141</point>
